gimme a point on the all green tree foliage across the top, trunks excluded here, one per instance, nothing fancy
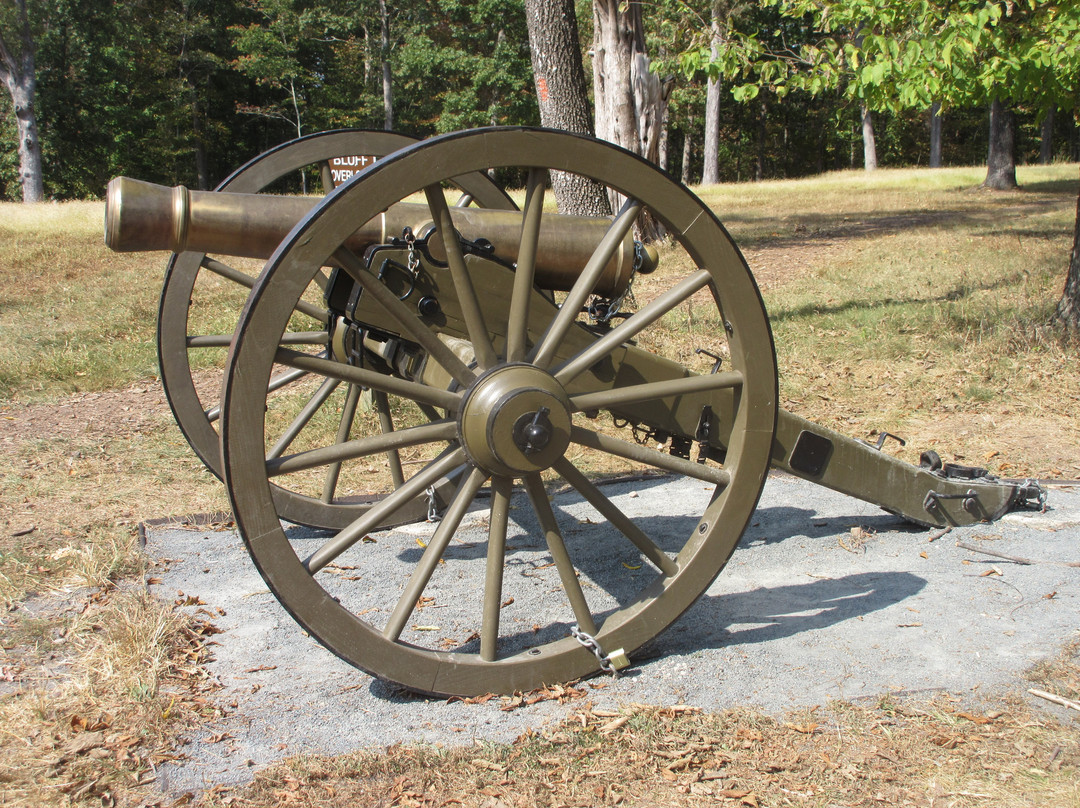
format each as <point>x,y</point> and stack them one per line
<point>157,88</point>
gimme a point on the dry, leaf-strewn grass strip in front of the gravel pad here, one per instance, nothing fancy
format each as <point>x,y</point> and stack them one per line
<point>892,753</point>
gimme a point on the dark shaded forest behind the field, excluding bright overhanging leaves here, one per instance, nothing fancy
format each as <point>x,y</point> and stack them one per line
<point>185,91</point>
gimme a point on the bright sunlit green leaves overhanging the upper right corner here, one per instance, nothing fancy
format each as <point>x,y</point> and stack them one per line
<point>893,55</point>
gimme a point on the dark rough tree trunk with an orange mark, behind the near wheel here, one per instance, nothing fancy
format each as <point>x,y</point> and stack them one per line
<point>563,96</point>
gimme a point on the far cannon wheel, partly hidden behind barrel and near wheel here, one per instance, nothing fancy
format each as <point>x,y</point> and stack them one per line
<point>194,330</point>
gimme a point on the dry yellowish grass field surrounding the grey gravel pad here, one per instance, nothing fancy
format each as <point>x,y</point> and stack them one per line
<point>906,301</point>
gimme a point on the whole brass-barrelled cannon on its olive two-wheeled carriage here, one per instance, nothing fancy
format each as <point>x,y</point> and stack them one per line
<point>401,358</point>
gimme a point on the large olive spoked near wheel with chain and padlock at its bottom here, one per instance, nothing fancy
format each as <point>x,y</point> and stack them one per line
<point>514,420</point>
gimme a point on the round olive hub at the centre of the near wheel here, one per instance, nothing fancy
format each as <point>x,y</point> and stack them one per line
<point>516,421</point>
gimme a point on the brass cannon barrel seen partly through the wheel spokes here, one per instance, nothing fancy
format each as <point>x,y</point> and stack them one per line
<point>141,217</point>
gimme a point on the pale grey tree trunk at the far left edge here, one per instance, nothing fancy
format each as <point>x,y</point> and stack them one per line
<point>21,78</point>
